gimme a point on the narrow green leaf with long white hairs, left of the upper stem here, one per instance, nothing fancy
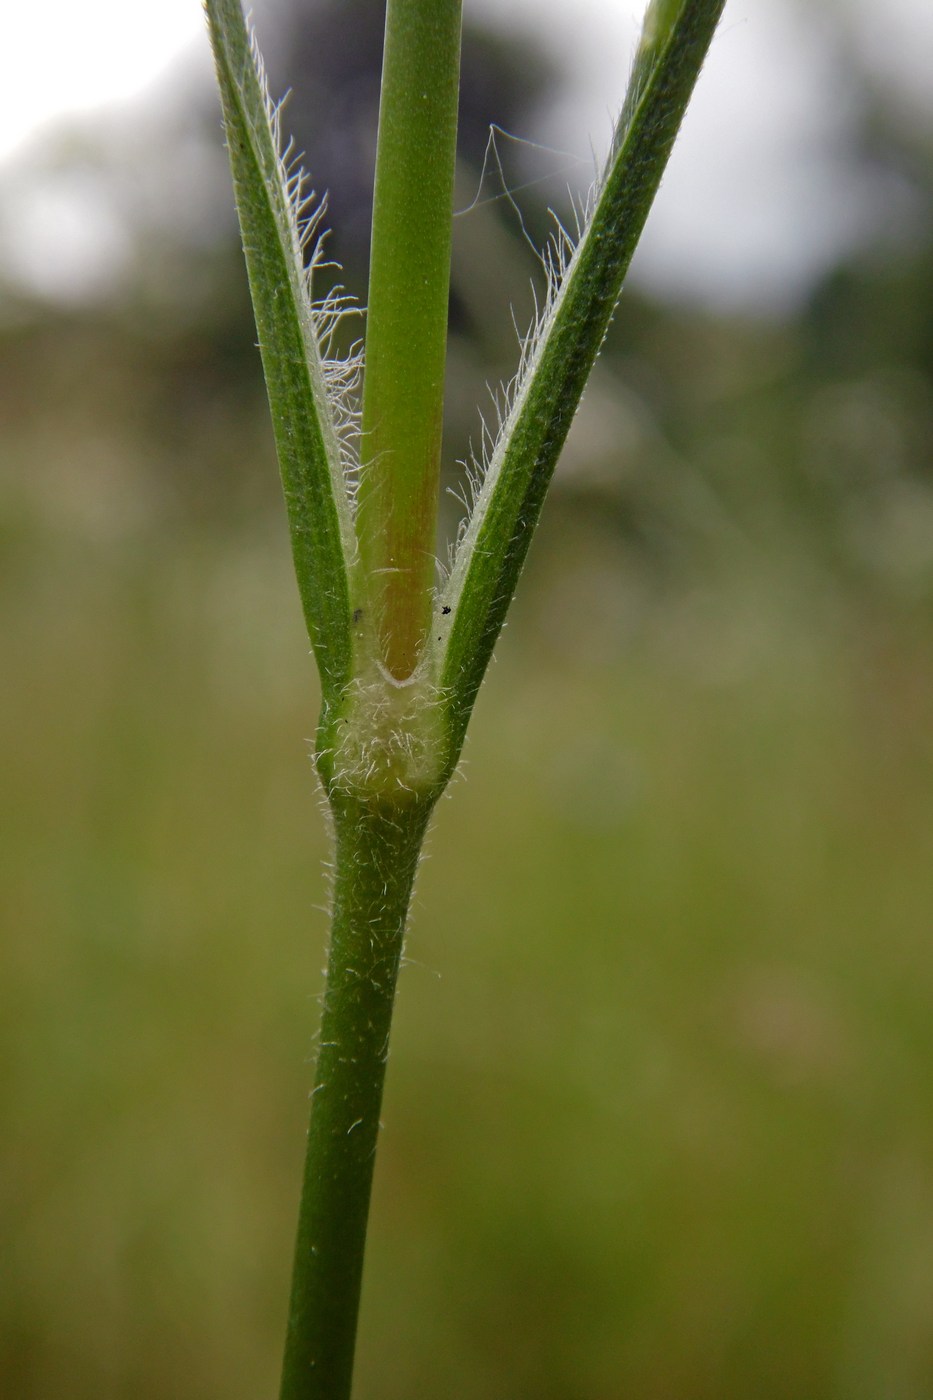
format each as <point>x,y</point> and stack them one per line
<point>306,415</point>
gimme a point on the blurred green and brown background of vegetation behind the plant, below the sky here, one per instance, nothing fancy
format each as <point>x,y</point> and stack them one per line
<point>659,1119</point>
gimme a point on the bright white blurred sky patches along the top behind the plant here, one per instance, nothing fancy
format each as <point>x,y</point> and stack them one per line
<point>753,205</point>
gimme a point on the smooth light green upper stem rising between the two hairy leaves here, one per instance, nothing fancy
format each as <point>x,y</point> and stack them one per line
<point>407,323</point>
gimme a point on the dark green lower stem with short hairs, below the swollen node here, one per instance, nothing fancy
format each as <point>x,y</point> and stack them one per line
<point>378,852</point>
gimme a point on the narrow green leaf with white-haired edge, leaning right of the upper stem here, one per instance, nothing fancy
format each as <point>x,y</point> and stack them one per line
<point>561,353</point>
